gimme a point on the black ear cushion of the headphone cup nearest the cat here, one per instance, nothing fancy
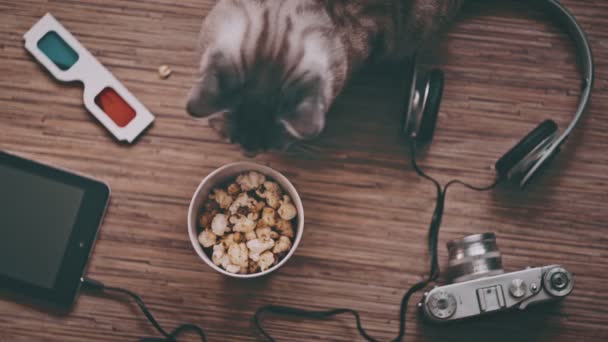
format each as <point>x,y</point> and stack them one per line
<point>428,121</point>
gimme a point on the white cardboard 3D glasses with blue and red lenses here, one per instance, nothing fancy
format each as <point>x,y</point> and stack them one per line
<point>104,96</point>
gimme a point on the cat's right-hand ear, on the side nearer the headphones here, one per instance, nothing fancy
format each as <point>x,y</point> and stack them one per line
<point>306,119</point>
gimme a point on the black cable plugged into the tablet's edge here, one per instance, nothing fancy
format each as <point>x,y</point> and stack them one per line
<point>97,286</point>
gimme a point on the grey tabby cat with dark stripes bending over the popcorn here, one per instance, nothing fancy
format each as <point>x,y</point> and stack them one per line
<point>270,69</point>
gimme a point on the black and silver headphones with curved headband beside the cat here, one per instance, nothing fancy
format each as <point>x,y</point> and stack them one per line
<point>539,147</point>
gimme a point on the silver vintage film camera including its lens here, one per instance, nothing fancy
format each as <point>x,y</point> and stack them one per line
<point>480,286</point>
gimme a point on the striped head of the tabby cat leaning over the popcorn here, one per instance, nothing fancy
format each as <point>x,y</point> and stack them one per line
<point>262,85</point>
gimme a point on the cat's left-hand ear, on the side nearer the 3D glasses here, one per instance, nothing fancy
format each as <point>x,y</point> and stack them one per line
<point>216,87</point>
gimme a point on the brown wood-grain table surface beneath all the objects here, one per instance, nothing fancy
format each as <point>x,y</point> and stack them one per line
<point>367,213</point>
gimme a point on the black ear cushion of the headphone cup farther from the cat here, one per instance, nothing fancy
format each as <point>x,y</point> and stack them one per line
<point>530,142</point>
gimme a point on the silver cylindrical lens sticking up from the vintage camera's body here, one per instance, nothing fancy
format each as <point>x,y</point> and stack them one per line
<point>474,257</point>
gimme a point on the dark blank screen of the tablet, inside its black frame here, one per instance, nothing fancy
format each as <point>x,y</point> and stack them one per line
<point>37,216</point>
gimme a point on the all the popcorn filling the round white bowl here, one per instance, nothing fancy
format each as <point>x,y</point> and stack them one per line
<point>247,226</point>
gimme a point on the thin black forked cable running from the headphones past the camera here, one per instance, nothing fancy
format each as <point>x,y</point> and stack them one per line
<point>434,272</point>
